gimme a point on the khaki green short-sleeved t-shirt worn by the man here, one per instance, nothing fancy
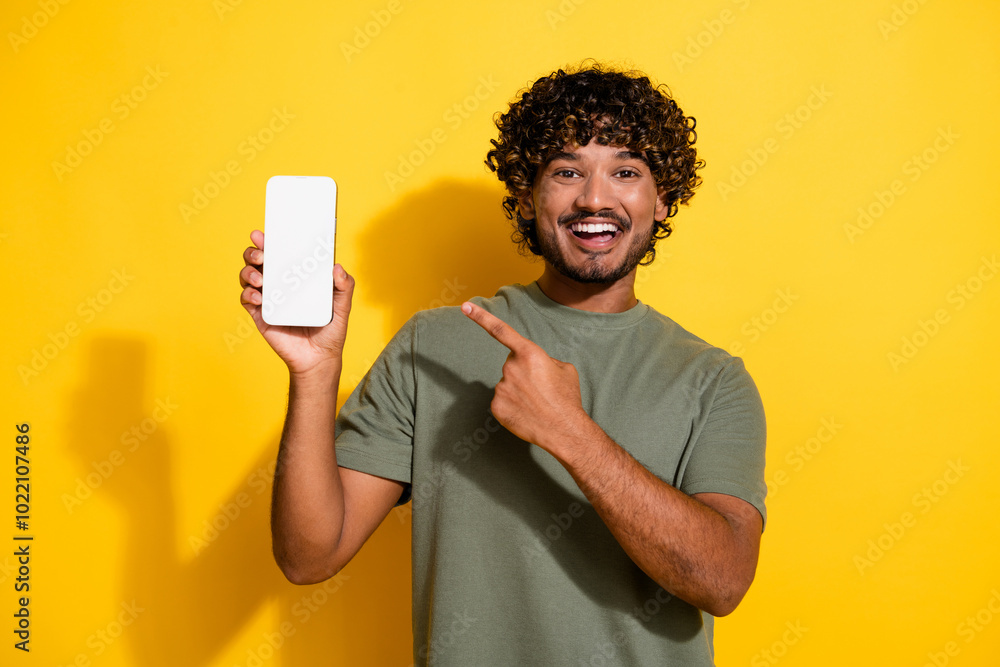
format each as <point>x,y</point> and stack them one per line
<point>511,564</point>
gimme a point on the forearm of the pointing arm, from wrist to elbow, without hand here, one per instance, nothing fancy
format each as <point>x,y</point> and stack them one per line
<point>683,544</point>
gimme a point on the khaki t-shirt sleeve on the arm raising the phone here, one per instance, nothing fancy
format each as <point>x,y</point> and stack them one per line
<point>374,429</point>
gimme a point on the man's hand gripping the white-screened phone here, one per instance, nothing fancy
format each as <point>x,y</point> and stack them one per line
<point>303,349</point>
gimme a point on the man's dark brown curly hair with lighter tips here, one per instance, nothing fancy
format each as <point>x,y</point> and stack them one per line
<point>618,108</point>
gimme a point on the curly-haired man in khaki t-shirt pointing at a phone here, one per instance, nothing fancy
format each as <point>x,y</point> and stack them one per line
<point>586,476</point>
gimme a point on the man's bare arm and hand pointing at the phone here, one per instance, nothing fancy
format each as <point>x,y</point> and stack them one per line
<point>702,549</point>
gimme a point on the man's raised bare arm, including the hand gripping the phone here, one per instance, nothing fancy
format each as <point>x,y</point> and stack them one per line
<point>321,514</point>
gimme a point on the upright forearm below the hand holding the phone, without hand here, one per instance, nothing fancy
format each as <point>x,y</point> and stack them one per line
<point>307,505</point>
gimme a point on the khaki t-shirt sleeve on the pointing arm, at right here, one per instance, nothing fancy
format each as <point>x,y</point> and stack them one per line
<point>728,454</point>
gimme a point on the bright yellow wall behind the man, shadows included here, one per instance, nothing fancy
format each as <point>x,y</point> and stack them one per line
<point>886,80</point>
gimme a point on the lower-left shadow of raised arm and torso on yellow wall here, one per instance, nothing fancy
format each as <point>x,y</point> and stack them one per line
<point>194,603</point>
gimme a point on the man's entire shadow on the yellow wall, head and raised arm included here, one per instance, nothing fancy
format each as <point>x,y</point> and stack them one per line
<point>435,247</point>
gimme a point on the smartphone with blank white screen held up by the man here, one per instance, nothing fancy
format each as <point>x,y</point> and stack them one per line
<point>300,225</point>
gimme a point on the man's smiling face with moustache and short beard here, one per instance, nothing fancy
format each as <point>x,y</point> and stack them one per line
<point>594,208</point>
